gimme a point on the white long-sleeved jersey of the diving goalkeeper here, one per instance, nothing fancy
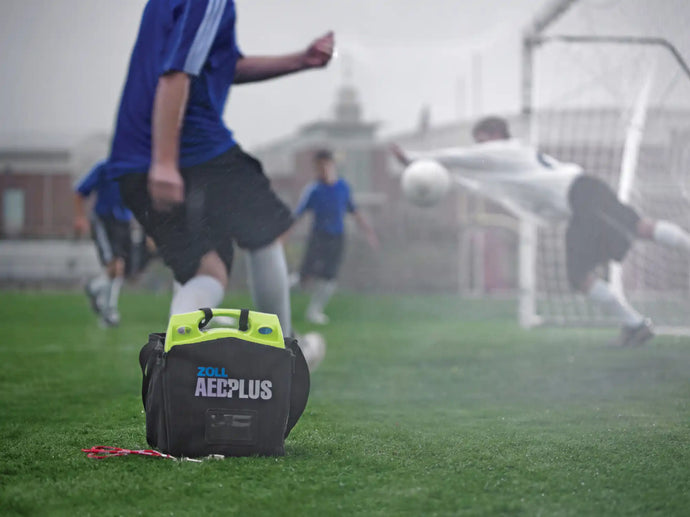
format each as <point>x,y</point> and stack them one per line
<point>528,183</point>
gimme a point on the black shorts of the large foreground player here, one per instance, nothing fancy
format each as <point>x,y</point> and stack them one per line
<point>227,200</point>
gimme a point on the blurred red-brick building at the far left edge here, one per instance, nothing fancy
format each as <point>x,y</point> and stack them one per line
<point>37,174</point>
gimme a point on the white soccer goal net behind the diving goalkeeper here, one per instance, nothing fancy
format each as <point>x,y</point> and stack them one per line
<point>614,99</point>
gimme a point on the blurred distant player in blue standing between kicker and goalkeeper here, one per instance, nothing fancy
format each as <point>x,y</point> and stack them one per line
<point>329,199</point>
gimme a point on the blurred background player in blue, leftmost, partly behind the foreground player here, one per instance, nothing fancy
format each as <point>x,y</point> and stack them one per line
<point>110,225</point>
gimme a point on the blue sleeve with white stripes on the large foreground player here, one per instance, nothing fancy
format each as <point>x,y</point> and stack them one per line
<point>193,33</point>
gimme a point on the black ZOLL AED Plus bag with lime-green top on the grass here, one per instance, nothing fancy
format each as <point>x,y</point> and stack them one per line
<point>230,391</point>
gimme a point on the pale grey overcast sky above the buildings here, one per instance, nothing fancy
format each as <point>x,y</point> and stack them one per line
<point>63,61</point>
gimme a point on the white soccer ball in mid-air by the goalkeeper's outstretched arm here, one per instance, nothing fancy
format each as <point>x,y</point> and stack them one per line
<point>425,182</point>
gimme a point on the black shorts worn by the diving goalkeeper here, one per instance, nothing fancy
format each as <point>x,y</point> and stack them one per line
<point>601,228</point>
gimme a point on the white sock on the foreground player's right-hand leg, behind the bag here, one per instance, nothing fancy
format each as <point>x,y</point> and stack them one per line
<point>268,283</point>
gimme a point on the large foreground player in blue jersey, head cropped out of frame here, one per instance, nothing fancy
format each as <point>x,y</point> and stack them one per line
<point>188,182</point>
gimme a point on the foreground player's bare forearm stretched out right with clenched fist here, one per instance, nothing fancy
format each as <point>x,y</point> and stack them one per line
<point>259,68</point>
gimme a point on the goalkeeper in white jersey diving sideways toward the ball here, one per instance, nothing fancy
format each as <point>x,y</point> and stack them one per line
<point>530,184</point>
